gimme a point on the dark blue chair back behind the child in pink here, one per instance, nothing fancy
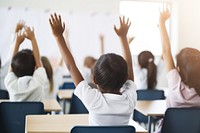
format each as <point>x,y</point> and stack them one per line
<point>181,120</point>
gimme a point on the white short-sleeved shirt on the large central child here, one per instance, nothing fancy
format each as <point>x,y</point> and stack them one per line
<point>107,108</point>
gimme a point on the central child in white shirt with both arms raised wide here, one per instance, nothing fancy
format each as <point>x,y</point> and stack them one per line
<point>114,100</point>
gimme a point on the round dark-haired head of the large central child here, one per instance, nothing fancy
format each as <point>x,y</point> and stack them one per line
<point>110,72</point>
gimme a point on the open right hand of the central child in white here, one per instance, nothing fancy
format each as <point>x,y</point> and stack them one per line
<point>124,26</point>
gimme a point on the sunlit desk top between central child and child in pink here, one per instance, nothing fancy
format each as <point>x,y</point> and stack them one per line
<point>152,107</point>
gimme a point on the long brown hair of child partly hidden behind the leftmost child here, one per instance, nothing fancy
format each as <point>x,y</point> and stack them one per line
<point>49,71</point>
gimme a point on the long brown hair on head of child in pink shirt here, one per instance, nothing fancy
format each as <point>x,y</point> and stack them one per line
<point>188,62</point>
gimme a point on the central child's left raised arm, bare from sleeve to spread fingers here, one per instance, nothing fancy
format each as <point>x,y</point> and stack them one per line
<point>57,30</point>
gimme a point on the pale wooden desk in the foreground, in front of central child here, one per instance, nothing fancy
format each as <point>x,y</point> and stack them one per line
<point>61,123</point>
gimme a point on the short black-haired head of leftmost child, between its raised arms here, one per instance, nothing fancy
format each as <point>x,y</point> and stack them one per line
<point>23,63</point>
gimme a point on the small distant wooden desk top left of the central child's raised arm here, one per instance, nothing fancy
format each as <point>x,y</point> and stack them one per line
<point>65,94</point>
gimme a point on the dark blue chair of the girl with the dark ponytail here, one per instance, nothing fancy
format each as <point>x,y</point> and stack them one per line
<point>150,94</point>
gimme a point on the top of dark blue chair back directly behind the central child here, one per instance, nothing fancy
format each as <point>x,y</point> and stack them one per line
<point>103,129</point>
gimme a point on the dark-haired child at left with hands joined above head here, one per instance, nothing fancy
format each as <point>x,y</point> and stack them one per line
<point>26,78</point>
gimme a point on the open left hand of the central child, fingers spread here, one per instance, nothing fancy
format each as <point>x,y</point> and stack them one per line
<point>56,25</point>
